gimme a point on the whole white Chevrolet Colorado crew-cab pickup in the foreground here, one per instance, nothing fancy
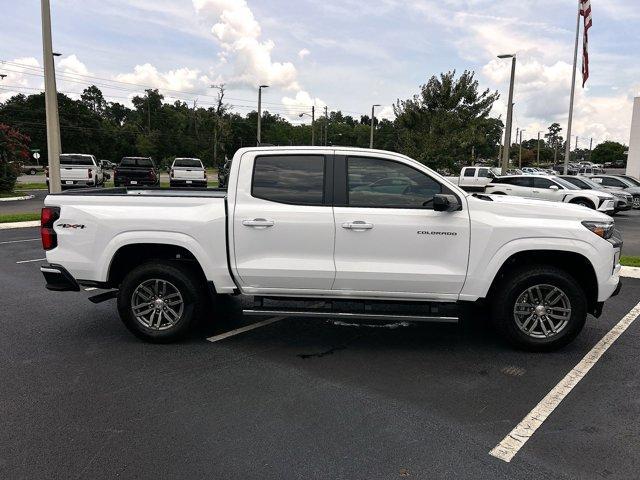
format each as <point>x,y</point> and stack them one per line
<point>372,234</point>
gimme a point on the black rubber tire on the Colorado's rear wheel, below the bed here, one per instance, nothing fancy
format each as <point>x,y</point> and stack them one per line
<point>176,276</point>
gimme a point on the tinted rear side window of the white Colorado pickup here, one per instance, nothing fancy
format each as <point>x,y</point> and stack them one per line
<point>293,179</point>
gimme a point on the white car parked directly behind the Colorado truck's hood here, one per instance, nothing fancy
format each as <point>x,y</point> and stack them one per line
<point>555,189</point>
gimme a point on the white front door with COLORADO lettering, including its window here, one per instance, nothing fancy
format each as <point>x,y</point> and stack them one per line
<point>389,240</point>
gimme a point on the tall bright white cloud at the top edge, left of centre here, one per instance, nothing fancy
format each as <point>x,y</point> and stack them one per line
<point>239,34</point>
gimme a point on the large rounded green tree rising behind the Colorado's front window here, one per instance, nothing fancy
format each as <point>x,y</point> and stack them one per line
<point>448,117</point>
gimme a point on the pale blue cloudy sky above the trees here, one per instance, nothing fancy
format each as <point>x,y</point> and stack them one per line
<point>346,54</point>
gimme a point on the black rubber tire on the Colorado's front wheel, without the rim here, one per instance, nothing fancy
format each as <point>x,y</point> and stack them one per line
<point>513,287</point>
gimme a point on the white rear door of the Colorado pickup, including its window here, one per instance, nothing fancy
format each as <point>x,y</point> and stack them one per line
<point>283,226</point>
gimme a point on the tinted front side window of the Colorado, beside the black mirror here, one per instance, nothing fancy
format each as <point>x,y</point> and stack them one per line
<point>375,182</point>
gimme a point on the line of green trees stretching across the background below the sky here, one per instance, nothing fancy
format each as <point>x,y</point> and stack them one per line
<point>447,124</point>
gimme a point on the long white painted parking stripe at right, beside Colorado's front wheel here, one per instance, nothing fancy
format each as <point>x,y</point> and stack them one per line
<point>515,440</point>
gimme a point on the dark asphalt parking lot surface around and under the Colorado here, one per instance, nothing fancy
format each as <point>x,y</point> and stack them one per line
<point>82,398</point>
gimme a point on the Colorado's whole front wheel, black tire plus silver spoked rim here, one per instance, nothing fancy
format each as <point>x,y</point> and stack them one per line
<point>539,308</point>
